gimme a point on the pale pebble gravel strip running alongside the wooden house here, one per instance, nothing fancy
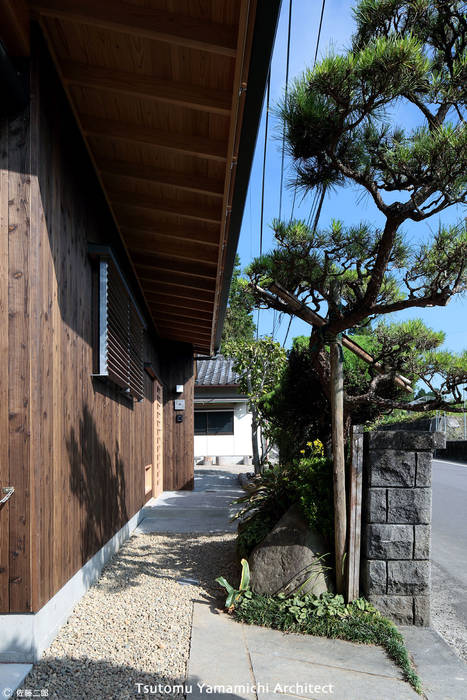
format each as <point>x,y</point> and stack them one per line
<point>134,625</point>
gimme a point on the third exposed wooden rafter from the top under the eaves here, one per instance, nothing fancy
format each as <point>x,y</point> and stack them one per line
<point>189,144</point>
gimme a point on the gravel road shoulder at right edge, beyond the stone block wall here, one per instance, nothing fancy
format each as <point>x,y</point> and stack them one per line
<point>444,617</point>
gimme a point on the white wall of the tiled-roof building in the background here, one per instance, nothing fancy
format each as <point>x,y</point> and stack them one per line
<point>238,444</point>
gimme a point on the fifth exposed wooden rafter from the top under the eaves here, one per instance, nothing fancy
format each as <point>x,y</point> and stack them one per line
<point>173,207</point>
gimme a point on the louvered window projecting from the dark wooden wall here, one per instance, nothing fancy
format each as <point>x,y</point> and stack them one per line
<point>119,346</point>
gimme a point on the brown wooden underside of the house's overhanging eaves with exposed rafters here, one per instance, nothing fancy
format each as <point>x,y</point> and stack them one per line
<point>160,90</point>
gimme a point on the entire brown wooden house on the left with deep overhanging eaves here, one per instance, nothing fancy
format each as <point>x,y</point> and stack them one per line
<point>127,131</point>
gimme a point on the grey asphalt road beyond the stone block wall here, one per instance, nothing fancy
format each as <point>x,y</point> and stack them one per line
<point>449,533</point>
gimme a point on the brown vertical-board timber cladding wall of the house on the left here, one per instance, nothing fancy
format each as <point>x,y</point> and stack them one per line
<point>72,446</point>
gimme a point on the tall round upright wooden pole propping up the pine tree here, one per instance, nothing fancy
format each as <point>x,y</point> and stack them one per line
<point>338,458</point>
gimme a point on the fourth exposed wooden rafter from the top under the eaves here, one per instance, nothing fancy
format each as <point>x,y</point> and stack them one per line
<point>148,173</point>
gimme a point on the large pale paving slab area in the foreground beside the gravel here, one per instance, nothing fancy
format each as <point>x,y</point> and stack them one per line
<point>274,664</point>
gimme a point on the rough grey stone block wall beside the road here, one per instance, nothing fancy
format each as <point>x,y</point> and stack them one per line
<point>396,533</point>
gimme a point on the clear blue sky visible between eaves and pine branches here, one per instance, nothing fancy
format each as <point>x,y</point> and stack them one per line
<point>346,203</point>
